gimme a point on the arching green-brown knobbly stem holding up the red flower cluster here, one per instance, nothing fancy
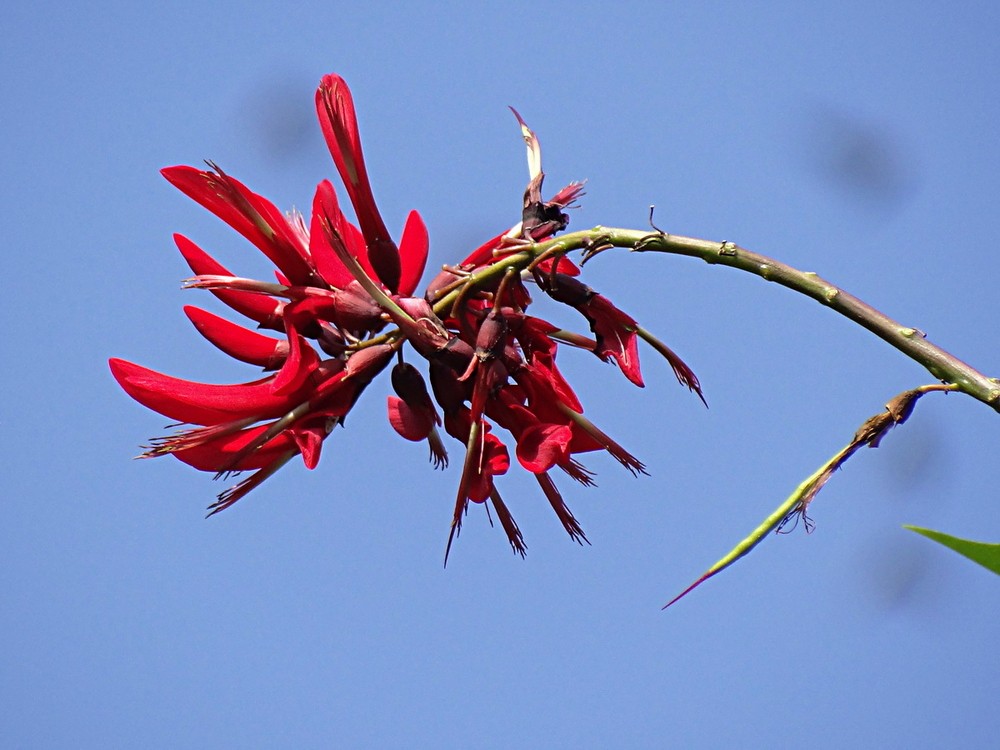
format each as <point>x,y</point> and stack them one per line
<point>910,341</point>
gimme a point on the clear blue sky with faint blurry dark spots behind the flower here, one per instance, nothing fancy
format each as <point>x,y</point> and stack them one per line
<point>857,140</point>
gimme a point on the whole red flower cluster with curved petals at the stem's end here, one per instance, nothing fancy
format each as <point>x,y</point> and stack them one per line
<point>338,288</point>
